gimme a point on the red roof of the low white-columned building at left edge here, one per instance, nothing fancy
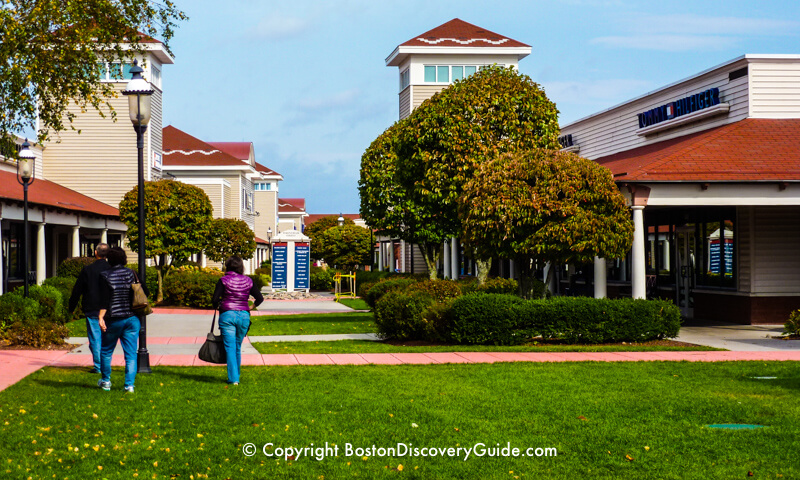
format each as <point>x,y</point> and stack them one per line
<point>43,192</point>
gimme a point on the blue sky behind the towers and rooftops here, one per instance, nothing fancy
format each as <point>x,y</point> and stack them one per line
<point>307,83</point>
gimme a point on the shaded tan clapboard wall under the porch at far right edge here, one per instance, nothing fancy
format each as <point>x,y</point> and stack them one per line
<point>776,266</point>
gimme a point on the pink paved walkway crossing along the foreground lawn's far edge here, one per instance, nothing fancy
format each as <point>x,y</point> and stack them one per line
<point>17,364</point>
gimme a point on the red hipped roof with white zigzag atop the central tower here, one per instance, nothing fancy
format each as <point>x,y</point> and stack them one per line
<point>458,33</point>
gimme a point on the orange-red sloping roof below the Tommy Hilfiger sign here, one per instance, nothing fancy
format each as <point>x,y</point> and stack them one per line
<point>748,150</point>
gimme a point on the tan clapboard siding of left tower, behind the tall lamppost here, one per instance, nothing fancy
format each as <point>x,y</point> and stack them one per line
<point>100,161</point>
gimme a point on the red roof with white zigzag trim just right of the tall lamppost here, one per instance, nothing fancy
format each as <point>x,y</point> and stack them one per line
<point>182,149</point>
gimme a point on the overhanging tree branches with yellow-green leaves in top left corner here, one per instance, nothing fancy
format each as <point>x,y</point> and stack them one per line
<point>49,49</point>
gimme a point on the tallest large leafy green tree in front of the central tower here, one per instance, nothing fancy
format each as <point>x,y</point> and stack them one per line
<point>413,174</point>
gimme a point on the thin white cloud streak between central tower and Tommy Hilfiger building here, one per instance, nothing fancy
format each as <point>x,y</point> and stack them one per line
<point>667,42</point>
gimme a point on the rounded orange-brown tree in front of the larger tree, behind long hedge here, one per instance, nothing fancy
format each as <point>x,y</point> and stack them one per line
<point>544,206</point>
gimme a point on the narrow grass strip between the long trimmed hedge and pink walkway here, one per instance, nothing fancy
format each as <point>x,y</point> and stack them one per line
<point>365,346</point>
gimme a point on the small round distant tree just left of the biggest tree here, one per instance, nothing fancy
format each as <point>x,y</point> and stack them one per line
<point>346,246</point>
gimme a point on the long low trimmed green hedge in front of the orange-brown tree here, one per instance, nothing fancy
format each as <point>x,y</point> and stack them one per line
<point>507,320</point>
